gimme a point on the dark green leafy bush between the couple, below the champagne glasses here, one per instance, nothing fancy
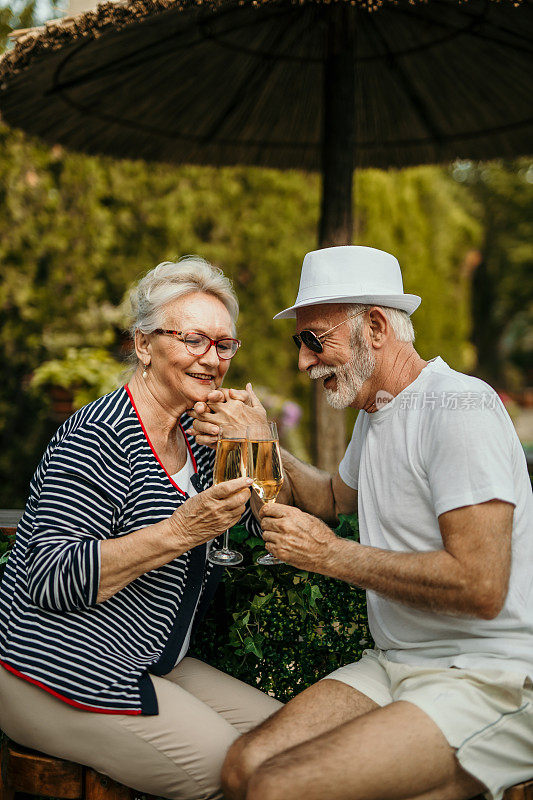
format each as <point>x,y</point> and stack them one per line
<point>278,628</point>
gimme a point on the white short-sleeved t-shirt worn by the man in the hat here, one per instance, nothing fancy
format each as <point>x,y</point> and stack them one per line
<point>446,441</point>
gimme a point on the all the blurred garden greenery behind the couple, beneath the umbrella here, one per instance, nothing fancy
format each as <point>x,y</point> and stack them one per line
<point>77,231</point>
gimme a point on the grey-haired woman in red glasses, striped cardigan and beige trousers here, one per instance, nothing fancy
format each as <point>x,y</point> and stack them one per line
<point>108,576</point>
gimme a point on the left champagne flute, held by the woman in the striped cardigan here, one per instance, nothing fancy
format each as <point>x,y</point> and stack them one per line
<point>230,462</point>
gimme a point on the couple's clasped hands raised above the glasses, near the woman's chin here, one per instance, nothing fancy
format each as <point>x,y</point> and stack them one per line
<point>239,407</point>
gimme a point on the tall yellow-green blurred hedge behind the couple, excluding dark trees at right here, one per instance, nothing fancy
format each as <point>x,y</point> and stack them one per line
<point>75,232</point>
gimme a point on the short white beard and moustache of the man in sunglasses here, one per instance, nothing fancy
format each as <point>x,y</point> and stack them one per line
<point>350,376</point>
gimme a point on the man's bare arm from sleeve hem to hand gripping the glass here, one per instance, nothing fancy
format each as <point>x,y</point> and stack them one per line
<point>468,575</point>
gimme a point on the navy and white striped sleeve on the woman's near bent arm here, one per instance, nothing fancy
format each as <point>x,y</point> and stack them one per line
<point>82,493</point>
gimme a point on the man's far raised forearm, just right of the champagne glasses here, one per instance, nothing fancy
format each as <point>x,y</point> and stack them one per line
<point>307,488</point>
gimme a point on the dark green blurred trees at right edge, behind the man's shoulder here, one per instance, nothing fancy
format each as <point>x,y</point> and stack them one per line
<point>501,197</point>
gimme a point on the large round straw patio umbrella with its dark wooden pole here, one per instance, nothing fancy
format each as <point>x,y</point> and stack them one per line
<point>311,84</point>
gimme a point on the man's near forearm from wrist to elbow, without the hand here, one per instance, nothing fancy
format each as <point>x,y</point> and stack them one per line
<point>433,581</point>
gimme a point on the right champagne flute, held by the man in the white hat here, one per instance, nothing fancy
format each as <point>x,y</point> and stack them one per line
<point>264,467</point>
